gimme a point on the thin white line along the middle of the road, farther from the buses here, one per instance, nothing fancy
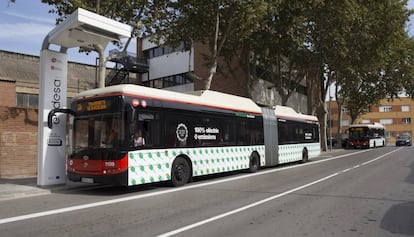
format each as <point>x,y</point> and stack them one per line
<point>223,215</point>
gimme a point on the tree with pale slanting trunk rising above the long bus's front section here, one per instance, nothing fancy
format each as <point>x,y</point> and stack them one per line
<point>213,23</point>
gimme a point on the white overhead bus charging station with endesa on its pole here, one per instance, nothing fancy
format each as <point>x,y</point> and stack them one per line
<point>81,29</point>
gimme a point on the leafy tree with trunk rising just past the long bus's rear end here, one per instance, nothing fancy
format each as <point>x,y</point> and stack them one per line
<point>349,40</point>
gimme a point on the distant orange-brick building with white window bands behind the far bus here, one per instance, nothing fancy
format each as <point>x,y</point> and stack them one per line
<point>395,114</point>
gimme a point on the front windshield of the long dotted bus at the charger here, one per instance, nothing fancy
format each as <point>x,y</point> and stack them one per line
<point>98,131</point>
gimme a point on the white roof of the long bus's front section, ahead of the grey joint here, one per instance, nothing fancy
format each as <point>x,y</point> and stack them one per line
<point>207,98</point>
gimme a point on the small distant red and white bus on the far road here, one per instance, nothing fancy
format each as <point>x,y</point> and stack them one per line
<point>367,135</point>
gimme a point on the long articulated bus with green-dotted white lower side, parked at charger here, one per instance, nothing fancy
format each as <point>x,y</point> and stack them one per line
<point>130,135</point>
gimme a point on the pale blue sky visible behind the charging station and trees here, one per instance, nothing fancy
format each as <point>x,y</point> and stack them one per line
<point>24,25</point>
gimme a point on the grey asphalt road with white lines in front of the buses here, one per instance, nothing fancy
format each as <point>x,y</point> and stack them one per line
<point>351,193</point>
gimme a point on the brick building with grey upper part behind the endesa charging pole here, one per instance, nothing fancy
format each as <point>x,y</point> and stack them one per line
<point>19,93</point>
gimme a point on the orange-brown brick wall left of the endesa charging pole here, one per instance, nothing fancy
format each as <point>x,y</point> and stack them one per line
<point>18,142</point>
